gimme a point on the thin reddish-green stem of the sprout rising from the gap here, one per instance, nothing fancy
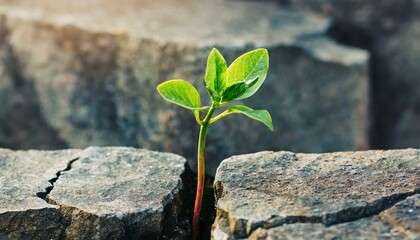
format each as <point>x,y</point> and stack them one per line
<point>201,171</point>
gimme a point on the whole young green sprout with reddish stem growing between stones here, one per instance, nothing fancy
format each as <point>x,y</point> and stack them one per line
<point>224,85</point>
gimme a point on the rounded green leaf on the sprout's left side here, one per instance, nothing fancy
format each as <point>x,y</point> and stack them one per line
<point>181,93</point>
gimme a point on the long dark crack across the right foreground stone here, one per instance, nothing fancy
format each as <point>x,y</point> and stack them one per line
<point>342,216</point>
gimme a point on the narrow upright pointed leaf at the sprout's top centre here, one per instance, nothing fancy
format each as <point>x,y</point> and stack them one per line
<point>215,77</point>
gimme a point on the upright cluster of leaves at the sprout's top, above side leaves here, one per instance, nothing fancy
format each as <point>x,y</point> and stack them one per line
<point>241,80</point>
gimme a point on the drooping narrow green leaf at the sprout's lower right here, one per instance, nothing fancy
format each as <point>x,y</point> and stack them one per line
<point>259,115</point>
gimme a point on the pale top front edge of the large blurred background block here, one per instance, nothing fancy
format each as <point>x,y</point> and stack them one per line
<point>303,41</point>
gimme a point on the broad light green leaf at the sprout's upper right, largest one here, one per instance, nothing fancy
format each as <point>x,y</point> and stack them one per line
<point>251,65</point>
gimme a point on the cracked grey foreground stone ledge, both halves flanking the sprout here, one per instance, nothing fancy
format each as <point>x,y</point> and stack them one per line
<point>127,193</point>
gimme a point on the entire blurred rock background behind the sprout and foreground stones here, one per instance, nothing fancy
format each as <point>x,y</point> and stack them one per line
<point>343,75</point>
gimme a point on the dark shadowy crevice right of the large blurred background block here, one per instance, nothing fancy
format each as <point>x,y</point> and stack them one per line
<point>384,106</point>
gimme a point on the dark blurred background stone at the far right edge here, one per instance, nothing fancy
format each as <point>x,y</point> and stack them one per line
<point>398,95</point>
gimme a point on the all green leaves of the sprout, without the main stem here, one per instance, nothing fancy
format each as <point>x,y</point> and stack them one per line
<point>241,80</point>
